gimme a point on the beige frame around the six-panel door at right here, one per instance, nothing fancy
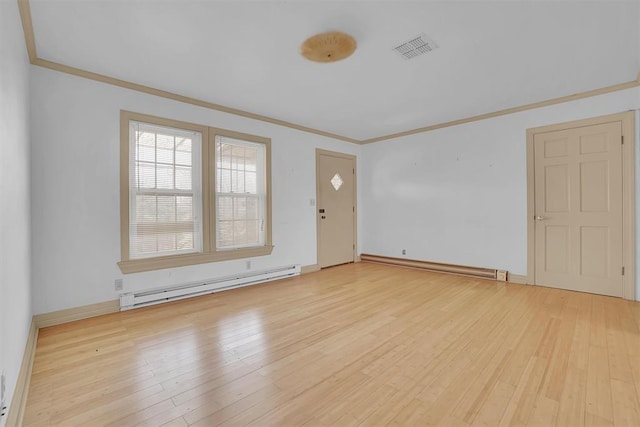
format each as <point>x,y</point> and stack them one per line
<point>627,120</point>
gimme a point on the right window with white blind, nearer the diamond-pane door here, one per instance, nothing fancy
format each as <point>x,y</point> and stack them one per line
<point>240,193</point>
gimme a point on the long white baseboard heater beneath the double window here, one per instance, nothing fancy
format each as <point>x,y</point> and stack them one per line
<point>129,301</point>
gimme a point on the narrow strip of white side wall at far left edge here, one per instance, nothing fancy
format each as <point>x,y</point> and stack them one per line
<point>15,257</point>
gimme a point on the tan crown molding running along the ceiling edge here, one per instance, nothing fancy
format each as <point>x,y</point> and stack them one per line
<point>29,35</point>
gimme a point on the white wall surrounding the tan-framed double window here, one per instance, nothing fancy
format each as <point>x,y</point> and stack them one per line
<point>75,197</point>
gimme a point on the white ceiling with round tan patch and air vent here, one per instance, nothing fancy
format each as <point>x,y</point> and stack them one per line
<point>245,55</point>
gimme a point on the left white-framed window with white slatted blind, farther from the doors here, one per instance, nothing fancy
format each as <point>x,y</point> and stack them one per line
<point>165,191</point>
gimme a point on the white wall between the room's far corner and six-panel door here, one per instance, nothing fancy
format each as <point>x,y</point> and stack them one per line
<point>459,195</point>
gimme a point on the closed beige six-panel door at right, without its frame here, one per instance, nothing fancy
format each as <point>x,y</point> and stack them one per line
<point>578,209</point>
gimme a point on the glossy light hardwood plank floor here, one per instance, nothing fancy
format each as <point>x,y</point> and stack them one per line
<point>356,344</point>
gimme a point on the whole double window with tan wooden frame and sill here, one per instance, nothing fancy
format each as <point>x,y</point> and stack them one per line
<point>191,194</point>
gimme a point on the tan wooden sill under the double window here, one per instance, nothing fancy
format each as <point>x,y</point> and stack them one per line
<point>158,263</point>
